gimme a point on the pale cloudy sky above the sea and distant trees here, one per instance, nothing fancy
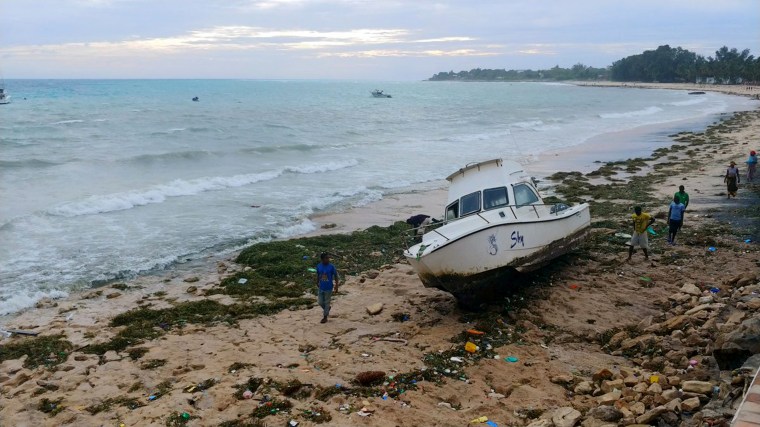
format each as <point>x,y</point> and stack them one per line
<point>351,39</point>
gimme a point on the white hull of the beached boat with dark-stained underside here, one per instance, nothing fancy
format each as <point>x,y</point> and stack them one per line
<point>486,256</point>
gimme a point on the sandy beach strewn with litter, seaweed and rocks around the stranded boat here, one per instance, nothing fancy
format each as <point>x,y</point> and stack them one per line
<point>590,340</point>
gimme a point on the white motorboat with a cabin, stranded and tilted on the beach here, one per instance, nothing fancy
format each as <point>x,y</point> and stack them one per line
<point>495,223</point>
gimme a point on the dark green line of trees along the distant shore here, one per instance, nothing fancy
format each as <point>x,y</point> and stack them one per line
<point>664,64</point>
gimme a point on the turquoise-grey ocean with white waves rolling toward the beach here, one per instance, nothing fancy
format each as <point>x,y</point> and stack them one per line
<point>107,179</point>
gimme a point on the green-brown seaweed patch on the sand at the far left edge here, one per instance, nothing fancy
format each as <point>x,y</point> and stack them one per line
<point>48,350</point>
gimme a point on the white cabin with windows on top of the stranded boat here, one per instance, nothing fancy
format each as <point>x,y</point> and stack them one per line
<point>489,185</point>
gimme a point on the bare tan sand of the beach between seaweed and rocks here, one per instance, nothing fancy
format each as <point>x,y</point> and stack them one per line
<point>570,304</point>
